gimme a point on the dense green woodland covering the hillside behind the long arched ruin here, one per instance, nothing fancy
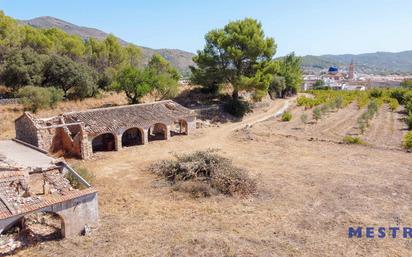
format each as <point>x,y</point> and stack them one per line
<point>43,66</point>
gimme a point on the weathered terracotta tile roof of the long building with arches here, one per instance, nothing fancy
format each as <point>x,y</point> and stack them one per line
<point>139,115</point>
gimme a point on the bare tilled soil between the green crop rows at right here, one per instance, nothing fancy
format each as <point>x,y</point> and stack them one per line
<point>386,129</point>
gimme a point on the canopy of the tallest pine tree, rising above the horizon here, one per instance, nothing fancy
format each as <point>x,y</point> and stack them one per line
<point>236,54</point>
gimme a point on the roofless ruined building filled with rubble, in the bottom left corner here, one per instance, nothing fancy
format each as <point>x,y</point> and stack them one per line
<point>26,191</point>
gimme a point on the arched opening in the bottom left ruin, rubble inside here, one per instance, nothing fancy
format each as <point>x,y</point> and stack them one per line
<point>32,229</point>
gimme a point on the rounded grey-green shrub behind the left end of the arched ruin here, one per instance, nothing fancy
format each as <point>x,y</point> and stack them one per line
<point>36,98</point>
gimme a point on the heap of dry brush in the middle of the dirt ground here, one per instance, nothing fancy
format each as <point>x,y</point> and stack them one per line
<point>205,170</point>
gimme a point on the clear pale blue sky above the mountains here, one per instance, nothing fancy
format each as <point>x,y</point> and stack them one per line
<point>306,26</point>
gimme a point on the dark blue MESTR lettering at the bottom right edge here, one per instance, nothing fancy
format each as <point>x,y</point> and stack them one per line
<point>380,232</point>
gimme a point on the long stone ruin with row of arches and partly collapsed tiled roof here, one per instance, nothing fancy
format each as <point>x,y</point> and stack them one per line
<point>82,133</point>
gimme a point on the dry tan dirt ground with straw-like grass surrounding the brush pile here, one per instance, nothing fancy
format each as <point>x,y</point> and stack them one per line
<point>310,192</point>
